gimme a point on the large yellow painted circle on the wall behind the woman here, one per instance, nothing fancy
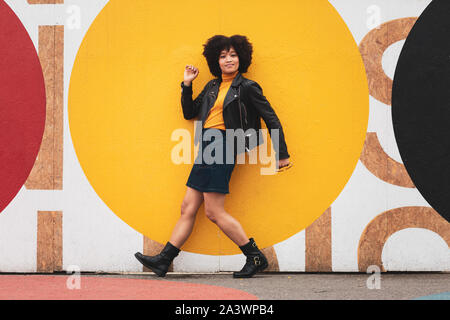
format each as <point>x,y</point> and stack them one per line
<point>124,104</point>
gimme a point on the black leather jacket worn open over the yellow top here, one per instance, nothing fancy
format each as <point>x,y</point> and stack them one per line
<point>252,97</point>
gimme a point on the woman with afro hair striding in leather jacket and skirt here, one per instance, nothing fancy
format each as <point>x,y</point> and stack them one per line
<point>218,108</point>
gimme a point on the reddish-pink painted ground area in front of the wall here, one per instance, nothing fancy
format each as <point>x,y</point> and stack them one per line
<point>40,287</point>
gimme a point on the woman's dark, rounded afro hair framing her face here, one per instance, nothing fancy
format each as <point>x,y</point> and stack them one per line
<point>216,44</point>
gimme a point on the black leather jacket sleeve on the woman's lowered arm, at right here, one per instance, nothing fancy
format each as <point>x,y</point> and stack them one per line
<point>265,110</point>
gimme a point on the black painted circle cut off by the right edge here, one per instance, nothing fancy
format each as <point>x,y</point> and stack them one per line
<point>421,105</point>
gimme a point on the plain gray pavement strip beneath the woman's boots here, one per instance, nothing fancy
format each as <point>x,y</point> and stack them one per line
<point>322,286</point>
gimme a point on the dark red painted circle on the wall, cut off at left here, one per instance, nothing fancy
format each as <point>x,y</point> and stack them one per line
<point>22,105</point>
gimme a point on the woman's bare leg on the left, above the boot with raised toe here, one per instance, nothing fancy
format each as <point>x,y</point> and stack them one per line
<point>189,207</point>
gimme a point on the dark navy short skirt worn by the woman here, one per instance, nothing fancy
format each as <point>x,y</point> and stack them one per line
<point>212,177</point>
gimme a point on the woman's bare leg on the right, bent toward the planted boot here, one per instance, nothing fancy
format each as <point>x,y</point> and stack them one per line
<point>214,209</point>
